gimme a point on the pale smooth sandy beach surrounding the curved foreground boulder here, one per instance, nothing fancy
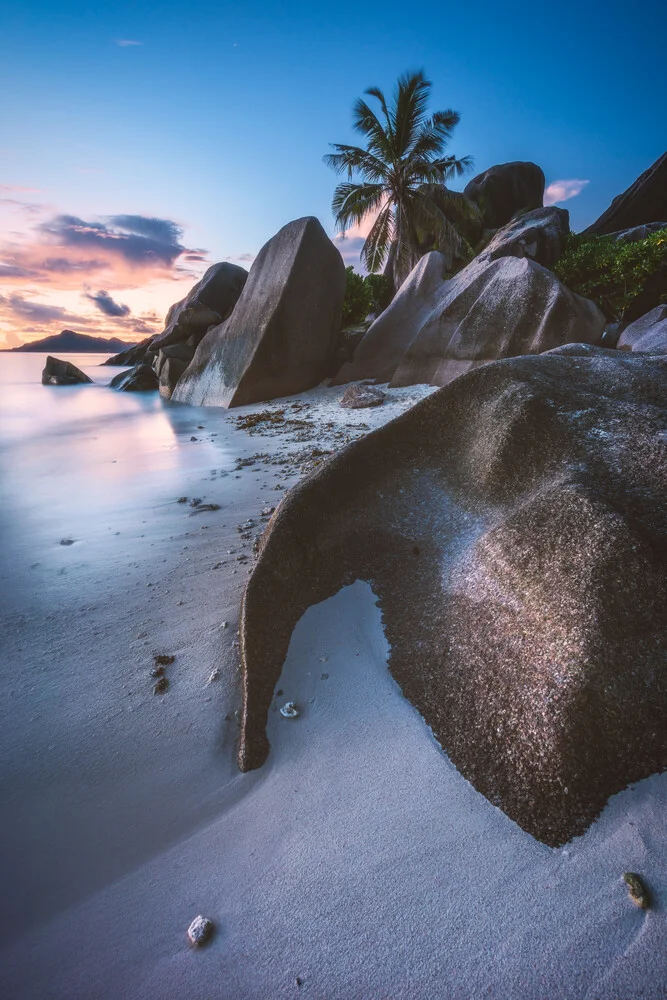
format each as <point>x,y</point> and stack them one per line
<point>358,861</point>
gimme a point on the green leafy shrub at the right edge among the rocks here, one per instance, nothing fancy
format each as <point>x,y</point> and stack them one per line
<point>611,273</point>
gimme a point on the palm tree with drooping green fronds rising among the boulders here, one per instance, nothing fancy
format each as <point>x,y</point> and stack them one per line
<point>404,168</point>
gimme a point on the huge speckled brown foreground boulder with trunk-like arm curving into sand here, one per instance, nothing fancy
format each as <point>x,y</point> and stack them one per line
<point>514,527</point>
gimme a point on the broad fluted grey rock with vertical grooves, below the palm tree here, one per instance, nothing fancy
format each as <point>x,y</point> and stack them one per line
<point>436,330</point>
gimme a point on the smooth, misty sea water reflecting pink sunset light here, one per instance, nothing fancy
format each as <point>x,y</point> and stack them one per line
<point>73,453</point>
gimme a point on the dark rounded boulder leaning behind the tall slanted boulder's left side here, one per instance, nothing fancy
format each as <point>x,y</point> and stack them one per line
<point>208,303</point>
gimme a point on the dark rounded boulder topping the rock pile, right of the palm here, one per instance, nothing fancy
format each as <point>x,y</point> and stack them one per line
<point>505,189</point>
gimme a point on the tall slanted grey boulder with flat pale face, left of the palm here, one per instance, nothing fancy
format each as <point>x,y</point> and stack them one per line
<point>284,330</point>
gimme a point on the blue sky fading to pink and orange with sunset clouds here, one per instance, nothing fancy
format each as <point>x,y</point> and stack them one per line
<point>139,143</point>
